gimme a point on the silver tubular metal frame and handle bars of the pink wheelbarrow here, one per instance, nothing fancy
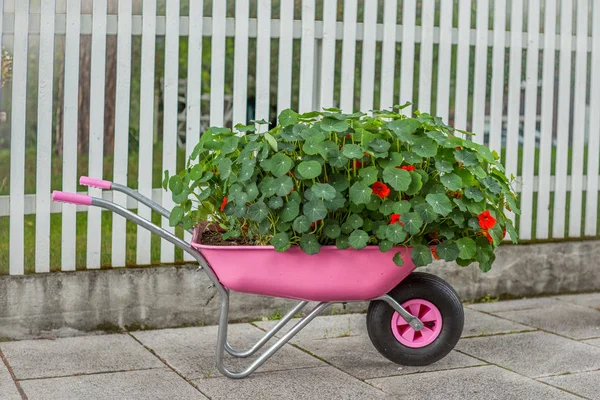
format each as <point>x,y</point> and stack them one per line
<point>222,344</point>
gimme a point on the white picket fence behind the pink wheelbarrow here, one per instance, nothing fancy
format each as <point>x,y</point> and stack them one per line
<point>526,61</point>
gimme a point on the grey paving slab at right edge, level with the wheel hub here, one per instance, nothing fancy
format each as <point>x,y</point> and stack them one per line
<point>574,321</point>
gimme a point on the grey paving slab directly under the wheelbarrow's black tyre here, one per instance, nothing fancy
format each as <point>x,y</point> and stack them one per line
<point>357,356</point>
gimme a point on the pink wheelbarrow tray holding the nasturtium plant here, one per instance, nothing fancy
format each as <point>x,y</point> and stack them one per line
<point>330,275</point>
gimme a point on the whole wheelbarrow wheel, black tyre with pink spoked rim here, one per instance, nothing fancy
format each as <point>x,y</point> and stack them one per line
<point>435,303</point>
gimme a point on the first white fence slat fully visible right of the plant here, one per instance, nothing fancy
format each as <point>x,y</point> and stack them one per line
<point>530,128</point>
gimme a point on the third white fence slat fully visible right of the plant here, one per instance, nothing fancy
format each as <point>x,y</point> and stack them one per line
<point>562,124</point>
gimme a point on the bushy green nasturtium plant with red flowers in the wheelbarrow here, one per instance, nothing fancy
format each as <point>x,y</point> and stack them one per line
<point>350,180</point>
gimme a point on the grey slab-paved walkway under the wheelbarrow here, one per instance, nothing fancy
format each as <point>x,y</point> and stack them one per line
<point>523,349</point>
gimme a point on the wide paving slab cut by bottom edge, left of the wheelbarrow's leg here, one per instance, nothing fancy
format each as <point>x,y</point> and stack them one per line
<point>149,384</point>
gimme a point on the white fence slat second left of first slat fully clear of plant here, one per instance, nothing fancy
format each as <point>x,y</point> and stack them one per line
<point>497,84</point>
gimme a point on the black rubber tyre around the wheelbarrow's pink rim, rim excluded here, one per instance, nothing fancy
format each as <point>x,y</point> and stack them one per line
<point>417,285</point>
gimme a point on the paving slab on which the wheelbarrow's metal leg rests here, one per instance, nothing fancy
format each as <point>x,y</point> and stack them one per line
<point>191,351</point>
